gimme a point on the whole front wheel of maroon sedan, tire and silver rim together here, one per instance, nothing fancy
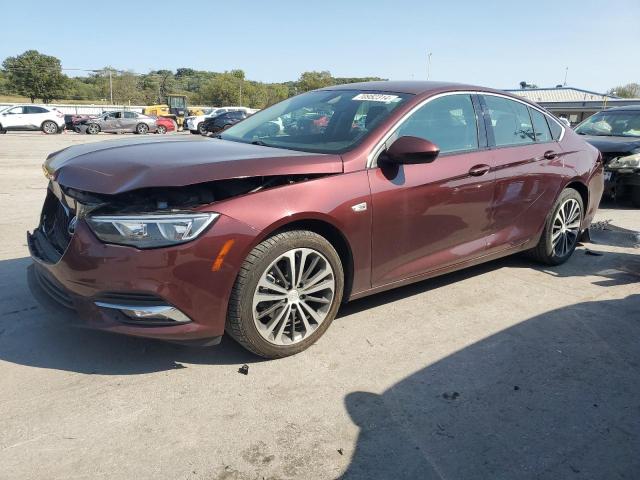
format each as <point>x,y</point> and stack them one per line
<point>287,293</point>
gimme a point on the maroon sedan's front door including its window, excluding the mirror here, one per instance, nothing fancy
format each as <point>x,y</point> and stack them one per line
<point>432,215</point>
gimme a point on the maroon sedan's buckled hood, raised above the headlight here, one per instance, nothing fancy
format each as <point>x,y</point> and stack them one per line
<point>118,166</point>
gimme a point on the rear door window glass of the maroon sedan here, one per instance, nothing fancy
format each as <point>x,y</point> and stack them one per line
<point>510,121</point>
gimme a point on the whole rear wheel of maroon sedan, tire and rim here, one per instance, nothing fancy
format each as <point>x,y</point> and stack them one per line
<point>561,230</point>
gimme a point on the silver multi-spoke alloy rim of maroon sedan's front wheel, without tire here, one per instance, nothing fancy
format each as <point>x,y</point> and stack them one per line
<point>293,296</point>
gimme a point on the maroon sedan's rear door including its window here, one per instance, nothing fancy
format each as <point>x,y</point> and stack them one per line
<point>528,169</point>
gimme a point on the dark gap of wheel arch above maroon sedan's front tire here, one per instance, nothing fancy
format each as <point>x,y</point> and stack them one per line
<point>325,229</point>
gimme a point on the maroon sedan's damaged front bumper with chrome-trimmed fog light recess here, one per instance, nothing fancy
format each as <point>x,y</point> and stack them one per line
<point>170,293</point>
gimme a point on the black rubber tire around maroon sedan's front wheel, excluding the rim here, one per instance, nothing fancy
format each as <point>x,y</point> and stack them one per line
<point>240,324</point>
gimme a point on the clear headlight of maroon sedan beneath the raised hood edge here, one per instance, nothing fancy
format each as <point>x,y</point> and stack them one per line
<point>150,231</point>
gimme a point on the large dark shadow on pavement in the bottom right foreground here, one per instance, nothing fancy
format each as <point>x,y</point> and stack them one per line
<point>556,396</point>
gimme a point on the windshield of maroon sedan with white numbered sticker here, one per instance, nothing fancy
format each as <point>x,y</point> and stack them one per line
<point>325,121</point>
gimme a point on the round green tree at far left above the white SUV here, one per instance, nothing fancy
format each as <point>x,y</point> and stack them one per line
<point>35,75</point>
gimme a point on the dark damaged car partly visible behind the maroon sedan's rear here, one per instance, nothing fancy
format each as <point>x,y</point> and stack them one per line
<point>616,133</point>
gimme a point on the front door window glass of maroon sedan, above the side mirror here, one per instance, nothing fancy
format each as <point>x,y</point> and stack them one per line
<point>449,122</point>
